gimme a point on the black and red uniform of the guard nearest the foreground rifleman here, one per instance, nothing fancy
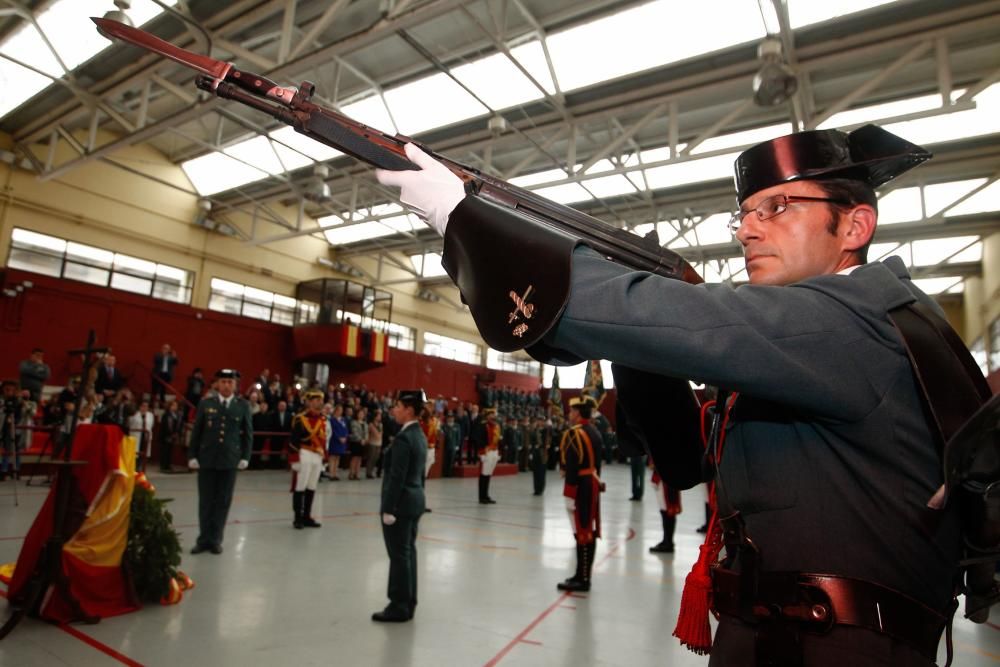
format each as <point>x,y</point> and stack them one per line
<point>583,497</point>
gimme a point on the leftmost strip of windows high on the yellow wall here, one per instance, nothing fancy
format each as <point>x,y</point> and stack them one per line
<point>51,256</point>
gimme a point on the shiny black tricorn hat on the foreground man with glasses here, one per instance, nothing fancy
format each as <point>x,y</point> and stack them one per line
<point>869,154</point>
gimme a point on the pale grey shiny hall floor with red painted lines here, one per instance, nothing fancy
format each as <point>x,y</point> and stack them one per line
<point>487,576</point>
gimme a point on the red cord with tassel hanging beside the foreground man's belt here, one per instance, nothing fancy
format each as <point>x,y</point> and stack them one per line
<point>693,628</point>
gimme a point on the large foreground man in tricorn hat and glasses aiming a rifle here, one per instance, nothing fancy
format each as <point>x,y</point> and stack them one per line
<point>833,556</point>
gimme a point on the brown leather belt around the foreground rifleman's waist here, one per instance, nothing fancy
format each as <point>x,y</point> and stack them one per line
<point>821,601</point>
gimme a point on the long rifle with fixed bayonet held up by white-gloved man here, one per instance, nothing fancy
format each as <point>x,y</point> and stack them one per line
<point>295,107</point>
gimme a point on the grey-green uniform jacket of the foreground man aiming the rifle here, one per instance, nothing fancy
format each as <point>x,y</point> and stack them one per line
<point>828,454</point>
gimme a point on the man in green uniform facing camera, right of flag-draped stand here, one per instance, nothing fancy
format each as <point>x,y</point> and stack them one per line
<point>220,445</point>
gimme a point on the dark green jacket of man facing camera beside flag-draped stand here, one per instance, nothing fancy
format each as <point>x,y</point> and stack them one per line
<point>221,438</point>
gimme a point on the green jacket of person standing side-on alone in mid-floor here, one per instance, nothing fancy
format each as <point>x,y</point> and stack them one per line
<point>403,473</point>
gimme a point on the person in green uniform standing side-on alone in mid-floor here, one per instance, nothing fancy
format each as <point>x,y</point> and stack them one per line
<point>403,505</point>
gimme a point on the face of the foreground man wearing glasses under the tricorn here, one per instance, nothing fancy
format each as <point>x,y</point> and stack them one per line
<point>797,243</point>
